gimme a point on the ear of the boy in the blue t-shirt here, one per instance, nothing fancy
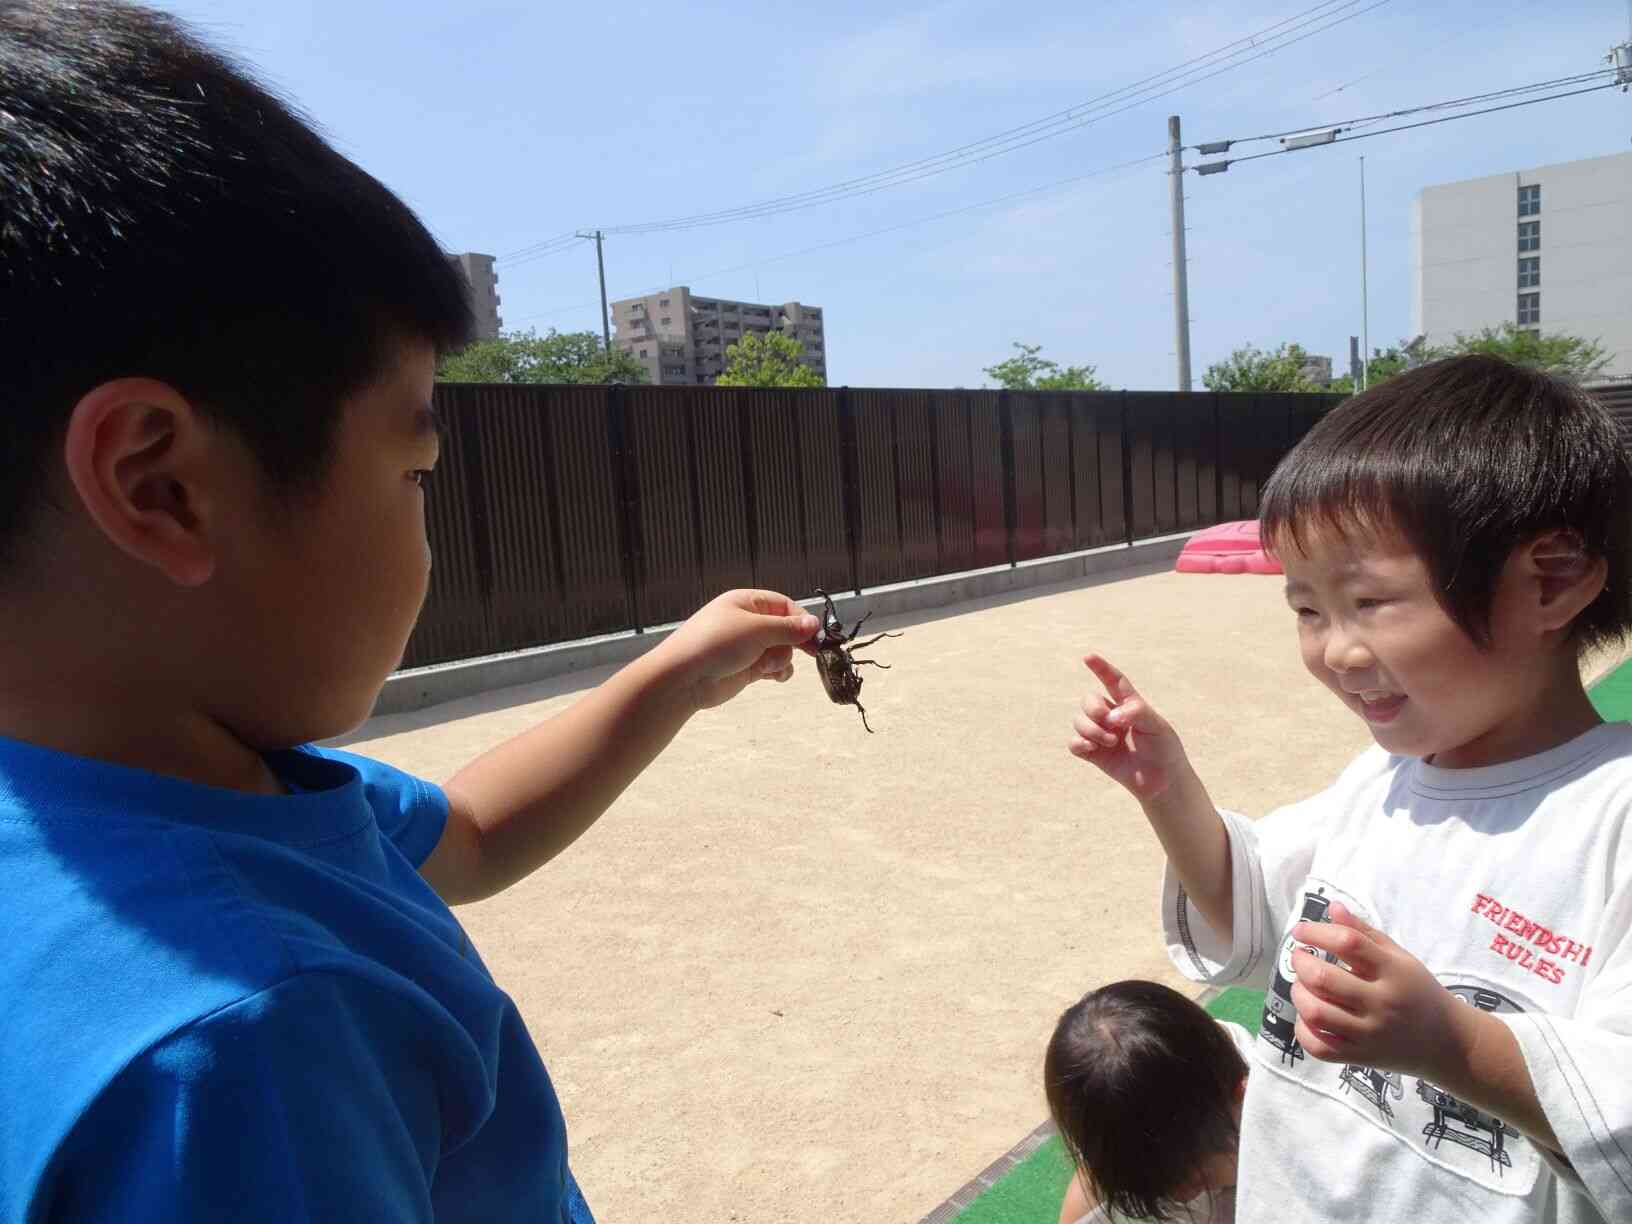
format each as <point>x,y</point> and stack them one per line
<point>136,453</point>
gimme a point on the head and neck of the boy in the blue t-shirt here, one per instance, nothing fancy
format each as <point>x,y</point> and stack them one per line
<point>218,345</point>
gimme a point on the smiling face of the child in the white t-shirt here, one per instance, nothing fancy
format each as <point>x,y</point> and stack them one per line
<point>1373,632</point>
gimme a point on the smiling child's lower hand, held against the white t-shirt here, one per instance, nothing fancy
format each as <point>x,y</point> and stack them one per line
<point>1385,1011</point>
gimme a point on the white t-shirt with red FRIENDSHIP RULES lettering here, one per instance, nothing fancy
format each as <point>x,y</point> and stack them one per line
<point>1514,885</point>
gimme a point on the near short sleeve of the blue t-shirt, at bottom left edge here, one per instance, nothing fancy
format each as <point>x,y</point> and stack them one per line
<point>311,1101</point>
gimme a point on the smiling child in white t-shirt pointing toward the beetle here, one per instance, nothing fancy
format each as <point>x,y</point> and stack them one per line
<point>1447,933</point>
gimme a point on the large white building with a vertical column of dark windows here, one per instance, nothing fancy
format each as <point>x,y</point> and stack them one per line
<point>1466,254</point>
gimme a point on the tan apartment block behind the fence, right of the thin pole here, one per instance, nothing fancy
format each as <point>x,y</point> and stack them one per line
<point>681,339</point>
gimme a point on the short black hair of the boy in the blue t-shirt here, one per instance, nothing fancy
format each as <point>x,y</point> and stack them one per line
<point>166,216</point>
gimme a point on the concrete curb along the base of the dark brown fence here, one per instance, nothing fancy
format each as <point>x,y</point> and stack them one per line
<point>422,688</point>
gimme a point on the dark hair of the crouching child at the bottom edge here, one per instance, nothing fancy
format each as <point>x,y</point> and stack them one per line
<point>1142,1084</point>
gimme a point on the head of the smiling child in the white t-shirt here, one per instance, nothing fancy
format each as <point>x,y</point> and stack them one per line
<point>1453,541</point>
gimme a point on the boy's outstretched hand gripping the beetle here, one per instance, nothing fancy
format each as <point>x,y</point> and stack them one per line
<point>734,641</point>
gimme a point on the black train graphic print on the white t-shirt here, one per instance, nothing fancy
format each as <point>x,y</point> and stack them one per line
<point>1440,1127</point>
